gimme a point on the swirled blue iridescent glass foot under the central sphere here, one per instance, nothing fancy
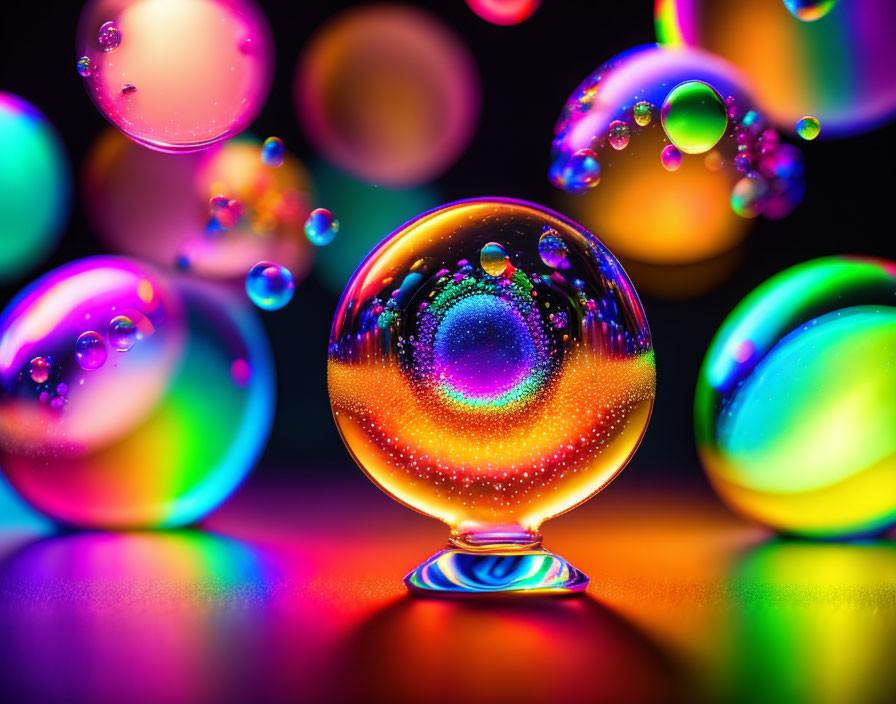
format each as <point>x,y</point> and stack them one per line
<point>455,572</point>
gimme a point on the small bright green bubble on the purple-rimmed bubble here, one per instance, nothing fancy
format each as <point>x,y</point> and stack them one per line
<point>694,117</point>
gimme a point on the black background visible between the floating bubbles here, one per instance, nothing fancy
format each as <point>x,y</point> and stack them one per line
<point>527,72</point>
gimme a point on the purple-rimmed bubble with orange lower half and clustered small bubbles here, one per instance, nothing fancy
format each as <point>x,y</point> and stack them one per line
<point>657,148</point>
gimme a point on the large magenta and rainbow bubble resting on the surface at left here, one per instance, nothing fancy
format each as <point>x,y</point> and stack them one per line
<point>130,399</point>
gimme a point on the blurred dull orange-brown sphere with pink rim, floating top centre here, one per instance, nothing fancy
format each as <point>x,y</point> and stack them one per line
<point>388,93</point>
